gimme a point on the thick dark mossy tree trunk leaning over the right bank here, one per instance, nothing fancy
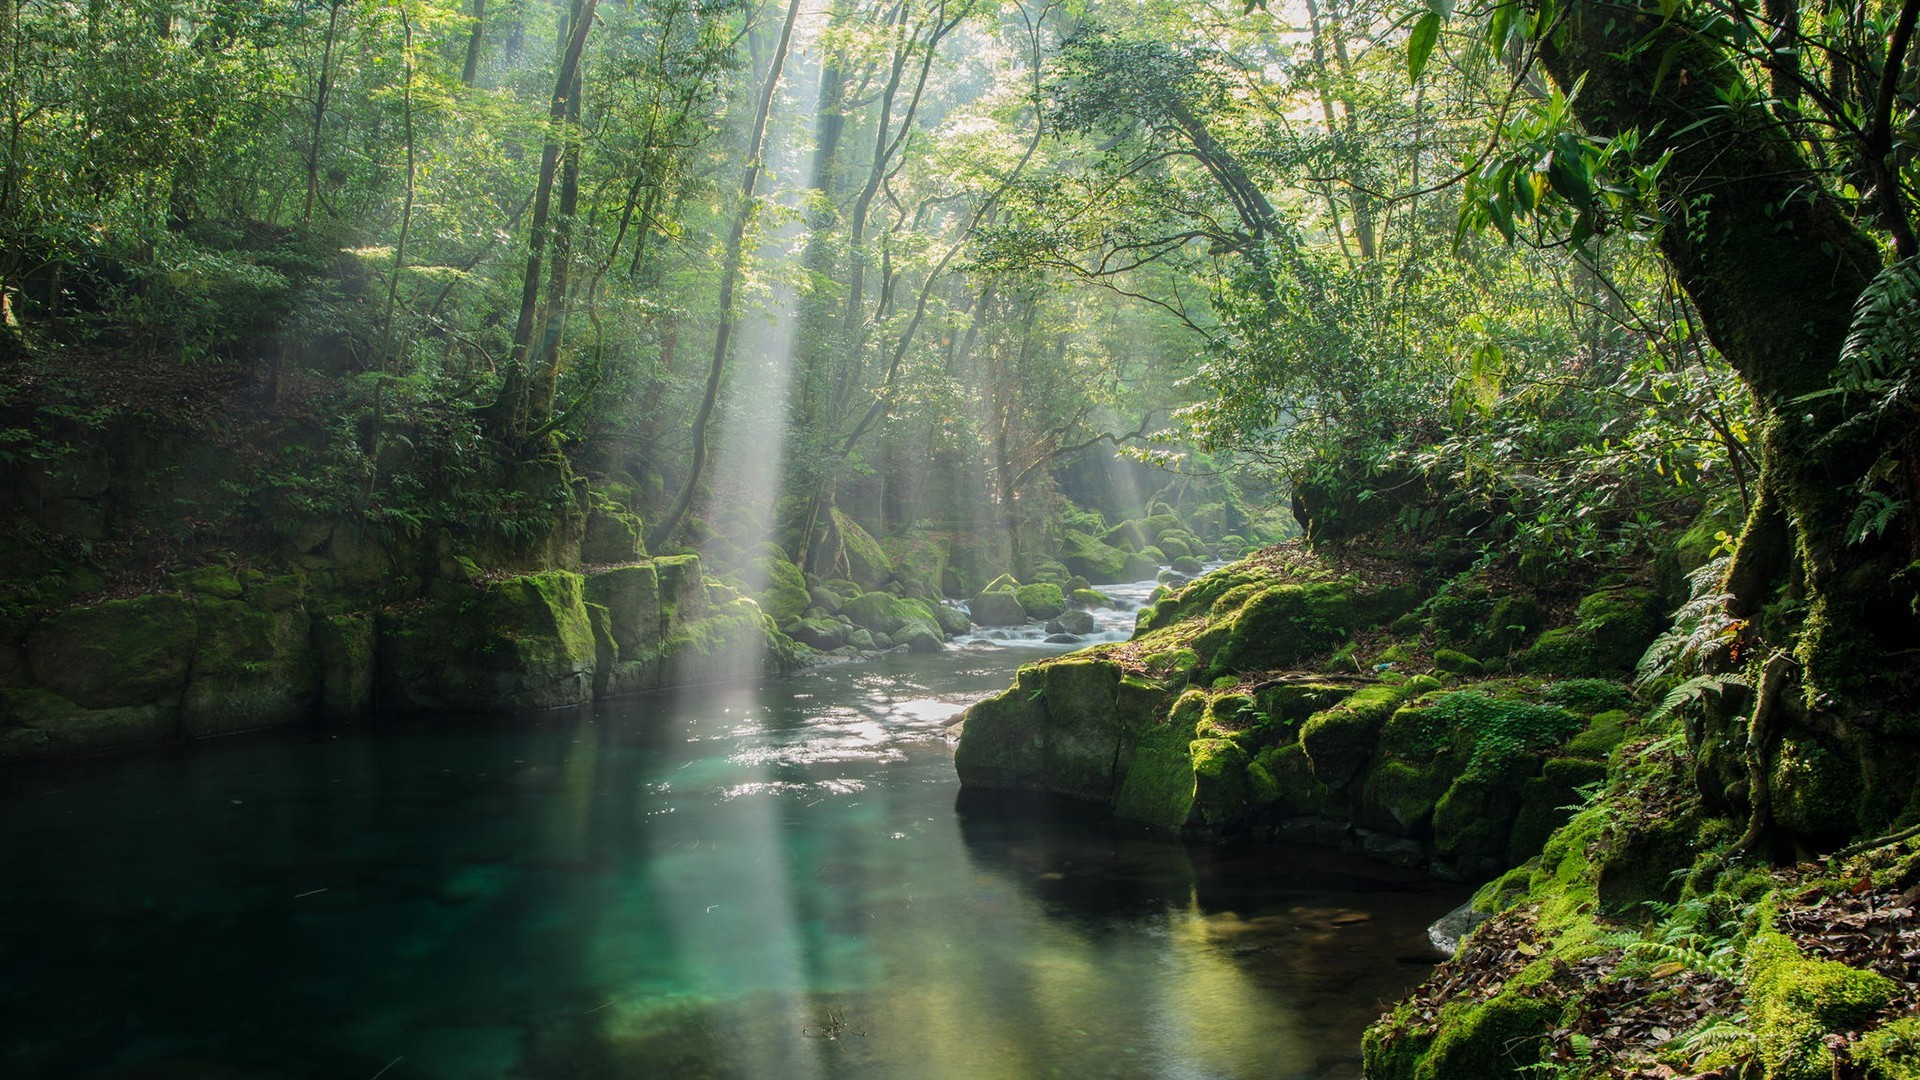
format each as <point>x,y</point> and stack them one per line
<point>1775,270</point>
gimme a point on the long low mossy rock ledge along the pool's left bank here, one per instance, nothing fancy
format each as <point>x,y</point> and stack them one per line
<point>231,652</point>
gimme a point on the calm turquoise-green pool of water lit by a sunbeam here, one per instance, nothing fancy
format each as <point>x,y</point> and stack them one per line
<point>719,883</point>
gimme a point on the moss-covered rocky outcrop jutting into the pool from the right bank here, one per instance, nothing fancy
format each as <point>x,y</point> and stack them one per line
<point>1257,702</point>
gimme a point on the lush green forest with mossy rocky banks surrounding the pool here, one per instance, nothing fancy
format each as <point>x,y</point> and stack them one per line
<point>1516,405</point>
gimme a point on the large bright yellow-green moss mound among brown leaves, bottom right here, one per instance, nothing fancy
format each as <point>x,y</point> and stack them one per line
<point>1796,1002</point>
